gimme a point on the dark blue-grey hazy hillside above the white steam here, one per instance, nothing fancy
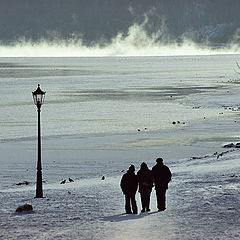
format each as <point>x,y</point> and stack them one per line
<point>98,21</point>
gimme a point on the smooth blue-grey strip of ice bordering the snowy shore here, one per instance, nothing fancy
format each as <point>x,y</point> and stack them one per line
<point>109,155</point>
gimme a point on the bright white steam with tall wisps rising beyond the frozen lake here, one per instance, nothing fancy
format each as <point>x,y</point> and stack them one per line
<point>136,42</point>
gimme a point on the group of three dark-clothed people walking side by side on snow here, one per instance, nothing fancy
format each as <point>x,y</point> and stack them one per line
<point>160,176</point>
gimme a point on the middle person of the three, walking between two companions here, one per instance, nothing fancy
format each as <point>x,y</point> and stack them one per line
<point>145,181</point>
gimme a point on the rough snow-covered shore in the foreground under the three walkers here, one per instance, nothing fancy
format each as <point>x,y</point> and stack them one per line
<point>202,203</point>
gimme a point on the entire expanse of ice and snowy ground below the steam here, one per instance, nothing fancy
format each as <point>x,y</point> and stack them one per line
<point>100,116</point>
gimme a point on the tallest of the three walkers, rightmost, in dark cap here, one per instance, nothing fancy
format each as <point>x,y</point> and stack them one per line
<point>161,176</point>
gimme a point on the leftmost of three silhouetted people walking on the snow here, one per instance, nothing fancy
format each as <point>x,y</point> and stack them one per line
<point>129,185</point>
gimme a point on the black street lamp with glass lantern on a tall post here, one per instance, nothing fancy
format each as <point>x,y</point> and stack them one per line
<point>38,98</point>
